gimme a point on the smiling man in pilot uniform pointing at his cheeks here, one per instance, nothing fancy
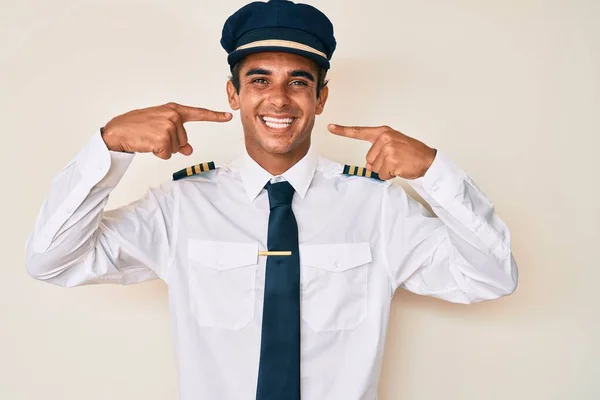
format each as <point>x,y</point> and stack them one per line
<point>281,266</point>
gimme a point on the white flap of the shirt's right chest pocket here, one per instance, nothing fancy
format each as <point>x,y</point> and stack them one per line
<point>335,257</point>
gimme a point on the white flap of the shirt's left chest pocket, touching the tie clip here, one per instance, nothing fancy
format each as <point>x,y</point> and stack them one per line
<point>222,255</point>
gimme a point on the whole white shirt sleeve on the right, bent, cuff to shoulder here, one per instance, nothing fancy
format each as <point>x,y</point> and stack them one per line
<point>461,253</point>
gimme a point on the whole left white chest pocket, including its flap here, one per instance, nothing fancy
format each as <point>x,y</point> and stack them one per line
<point>222,280</point>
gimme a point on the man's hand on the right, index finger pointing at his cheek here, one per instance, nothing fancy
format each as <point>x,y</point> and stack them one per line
<point>392,153</point>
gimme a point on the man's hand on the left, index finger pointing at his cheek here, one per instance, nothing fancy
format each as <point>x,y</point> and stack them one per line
<point>157,130</point>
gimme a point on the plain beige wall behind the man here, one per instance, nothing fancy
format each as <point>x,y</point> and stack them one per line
<point>509,89</point>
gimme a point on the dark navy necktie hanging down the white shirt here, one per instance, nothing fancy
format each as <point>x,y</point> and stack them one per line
<point>279,368</point>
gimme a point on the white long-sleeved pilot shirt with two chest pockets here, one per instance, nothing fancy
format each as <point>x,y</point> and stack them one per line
<point>360,239</point>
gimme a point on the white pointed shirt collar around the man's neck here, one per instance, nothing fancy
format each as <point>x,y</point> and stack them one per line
<point>254,177</point>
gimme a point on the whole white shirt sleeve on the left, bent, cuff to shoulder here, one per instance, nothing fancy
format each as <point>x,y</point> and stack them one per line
<point>76,242</point>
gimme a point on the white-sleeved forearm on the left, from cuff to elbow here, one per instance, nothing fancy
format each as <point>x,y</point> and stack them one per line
<point>67,227</point>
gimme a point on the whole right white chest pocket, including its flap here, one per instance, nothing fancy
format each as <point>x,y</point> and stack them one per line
<point>334,285</point>
